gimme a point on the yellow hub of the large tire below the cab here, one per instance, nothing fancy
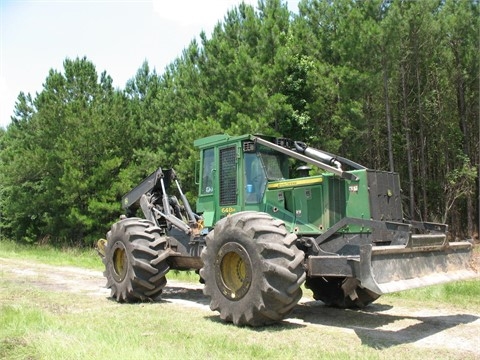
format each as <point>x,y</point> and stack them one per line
<point>233,271</point>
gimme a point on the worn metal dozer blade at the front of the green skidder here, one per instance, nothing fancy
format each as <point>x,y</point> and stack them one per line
<point>425,260</point>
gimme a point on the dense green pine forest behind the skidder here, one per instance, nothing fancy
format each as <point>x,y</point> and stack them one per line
<point>393,85</point>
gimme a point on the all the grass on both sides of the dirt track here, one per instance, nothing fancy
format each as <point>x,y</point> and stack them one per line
<point>41,324</point>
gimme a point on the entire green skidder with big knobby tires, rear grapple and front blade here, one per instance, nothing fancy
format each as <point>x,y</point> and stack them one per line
<point>258,233</point>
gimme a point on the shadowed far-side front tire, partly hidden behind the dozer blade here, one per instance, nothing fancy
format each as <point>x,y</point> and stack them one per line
<point>343,293</point>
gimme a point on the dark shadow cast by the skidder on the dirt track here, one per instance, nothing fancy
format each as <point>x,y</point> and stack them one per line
<point>373,327</point>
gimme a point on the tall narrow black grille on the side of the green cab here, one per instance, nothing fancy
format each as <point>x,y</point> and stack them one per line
<point>228,176</point>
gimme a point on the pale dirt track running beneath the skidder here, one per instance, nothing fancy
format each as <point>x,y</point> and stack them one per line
<point>379,326</point>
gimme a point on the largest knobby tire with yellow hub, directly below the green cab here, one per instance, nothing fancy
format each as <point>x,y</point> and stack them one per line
<point>252,269</point>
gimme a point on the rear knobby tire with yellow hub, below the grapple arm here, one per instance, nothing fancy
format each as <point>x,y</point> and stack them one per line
<point>135,260</point>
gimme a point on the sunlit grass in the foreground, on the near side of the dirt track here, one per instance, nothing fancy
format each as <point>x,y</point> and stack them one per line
<point>40,324</point>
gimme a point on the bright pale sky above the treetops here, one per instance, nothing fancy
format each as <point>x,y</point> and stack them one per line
<point>117,36</point>
